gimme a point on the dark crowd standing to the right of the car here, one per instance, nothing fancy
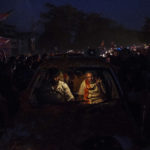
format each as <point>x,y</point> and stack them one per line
<point>133,70</point>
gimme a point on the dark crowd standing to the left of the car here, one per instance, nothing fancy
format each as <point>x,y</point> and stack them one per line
<point>15,74</point>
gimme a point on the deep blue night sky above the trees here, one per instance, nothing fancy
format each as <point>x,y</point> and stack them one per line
<point>130,13</point>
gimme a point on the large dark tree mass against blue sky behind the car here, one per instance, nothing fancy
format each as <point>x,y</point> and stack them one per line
<point>66,27</point>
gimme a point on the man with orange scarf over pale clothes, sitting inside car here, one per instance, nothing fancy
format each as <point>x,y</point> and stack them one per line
<point>91,90</point>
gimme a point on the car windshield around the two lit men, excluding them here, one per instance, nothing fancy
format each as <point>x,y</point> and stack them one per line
<point>73,77</point>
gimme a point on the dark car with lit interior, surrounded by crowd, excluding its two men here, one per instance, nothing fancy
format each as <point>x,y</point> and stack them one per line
<point>73,125</point>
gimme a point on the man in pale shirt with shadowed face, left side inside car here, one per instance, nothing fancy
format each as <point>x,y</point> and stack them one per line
<point>53,90</point>
